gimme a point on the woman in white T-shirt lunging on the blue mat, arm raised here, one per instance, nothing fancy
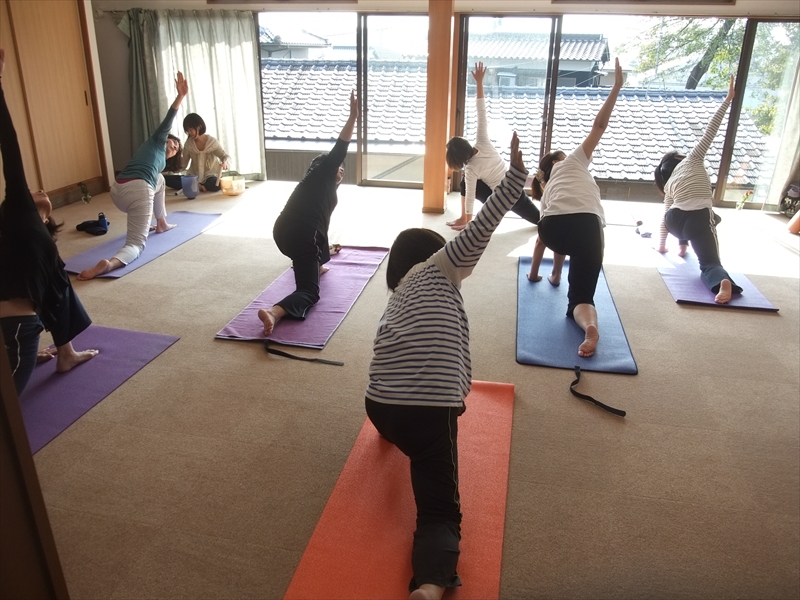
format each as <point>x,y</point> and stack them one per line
<point>573,219</point>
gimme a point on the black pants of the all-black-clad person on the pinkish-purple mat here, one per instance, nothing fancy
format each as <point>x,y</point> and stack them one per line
<point>303,247</point>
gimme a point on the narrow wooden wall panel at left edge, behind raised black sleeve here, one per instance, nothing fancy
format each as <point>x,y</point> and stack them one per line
<point>15,98</point>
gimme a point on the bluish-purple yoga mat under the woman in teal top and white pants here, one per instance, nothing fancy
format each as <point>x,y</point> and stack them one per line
<point>189,225</point>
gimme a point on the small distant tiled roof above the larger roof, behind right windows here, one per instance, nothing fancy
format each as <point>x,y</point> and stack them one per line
<point>534,46</point>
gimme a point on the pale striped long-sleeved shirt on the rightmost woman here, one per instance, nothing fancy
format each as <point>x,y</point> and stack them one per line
<point>689,187</point>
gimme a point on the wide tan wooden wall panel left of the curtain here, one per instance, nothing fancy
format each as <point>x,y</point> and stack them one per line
<point>52,59</point>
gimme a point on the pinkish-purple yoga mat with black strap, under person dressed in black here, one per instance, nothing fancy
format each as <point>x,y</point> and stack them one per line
<point>350,270</point>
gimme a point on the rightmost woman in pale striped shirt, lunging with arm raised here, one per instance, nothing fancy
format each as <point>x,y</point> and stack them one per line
<point>687,207</point>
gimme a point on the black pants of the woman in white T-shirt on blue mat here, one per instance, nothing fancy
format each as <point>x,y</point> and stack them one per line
<point>580,236</point>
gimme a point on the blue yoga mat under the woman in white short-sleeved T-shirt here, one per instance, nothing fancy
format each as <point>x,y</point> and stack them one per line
<point>548,338</point>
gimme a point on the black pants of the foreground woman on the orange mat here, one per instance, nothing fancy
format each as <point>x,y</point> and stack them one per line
<point>428,436</point>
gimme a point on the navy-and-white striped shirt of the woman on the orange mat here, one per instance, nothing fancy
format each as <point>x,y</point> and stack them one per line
<point>421,351</point>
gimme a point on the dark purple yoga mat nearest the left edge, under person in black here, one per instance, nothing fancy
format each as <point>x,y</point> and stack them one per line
<point>52,401</point>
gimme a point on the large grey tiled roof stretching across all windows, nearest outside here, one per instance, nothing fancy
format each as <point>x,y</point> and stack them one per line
<point>306,100</point>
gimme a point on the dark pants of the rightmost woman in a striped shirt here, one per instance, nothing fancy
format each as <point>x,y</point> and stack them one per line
<point>699,227</point>
